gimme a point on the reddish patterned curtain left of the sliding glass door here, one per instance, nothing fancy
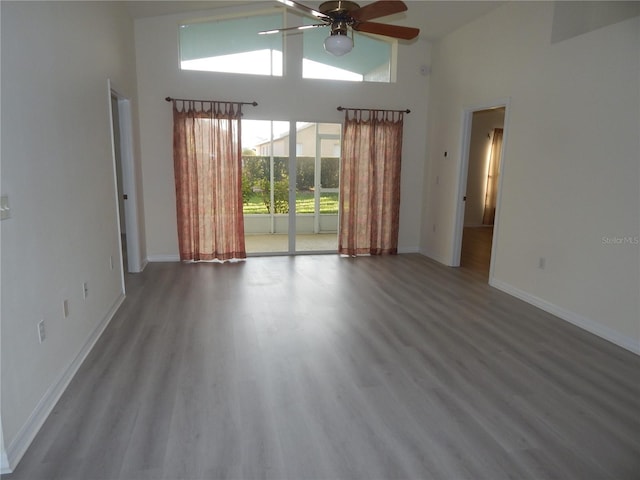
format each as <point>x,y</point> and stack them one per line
<point>207,160</point>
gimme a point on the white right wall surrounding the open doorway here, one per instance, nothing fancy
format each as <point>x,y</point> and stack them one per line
<point>571,166</point>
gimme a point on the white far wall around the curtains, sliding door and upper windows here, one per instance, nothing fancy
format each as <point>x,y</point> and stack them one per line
<point>285,98</point>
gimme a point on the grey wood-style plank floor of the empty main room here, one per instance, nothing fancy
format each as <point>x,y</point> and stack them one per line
<point>321,367</point>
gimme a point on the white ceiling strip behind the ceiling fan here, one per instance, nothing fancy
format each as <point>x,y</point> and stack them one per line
<point>434,18</point>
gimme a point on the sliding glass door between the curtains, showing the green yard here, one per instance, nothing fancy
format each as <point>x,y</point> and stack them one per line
<point>290,186</point>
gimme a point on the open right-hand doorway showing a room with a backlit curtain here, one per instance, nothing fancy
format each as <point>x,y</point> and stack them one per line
<point>479,183</point>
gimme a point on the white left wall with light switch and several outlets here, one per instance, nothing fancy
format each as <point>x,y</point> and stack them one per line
<point>57,169</point>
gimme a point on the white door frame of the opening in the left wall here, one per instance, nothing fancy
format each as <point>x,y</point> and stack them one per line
<point>129,184</point>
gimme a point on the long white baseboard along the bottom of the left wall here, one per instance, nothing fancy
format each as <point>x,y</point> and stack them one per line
<point>45,406</point>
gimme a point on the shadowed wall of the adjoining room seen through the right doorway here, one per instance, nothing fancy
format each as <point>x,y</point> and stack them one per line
<point>484,122</point>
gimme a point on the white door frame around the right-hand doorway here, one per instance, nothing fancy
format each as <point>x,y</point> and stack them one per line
<point>463,171</point>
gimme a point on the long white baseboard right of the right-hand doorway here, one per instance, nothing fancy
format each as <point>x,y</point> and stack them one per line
<point>585,323</point>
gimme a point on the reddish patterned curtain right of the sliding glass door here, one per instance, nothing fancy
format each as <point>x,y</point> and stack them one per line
<point>370,182</point>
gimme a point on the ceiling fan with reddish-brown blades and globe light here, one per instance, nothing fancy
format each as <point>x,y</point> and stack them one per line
<point>344,15</point>
